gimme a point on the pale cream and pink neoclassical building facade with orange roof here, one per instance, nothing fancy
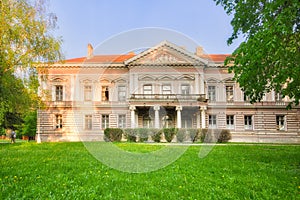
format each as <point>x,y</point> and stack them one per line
<point>164,86</point>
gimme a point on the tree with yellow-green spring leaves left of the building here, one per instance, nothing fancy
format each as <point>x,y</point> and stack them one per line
<point>26,41</point>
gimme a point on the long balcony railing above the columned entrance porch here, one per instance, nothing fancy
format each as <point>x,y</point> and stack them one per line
<point>165,97</point>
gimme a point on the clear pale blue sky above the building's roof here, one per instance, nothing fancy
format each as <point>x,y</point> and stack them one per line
<point>94,21</point>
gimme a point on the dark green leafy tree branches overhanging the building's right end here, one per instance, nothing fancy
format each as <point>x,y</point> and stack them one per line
<point>269,57</point>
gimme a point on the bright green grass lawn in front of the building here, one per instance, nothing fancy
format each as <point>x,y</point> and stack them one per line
<point>69,171</point>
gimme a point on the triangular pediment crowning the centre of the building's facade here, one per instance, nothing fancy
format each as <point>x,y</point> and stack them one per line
<point>165,53</point>
